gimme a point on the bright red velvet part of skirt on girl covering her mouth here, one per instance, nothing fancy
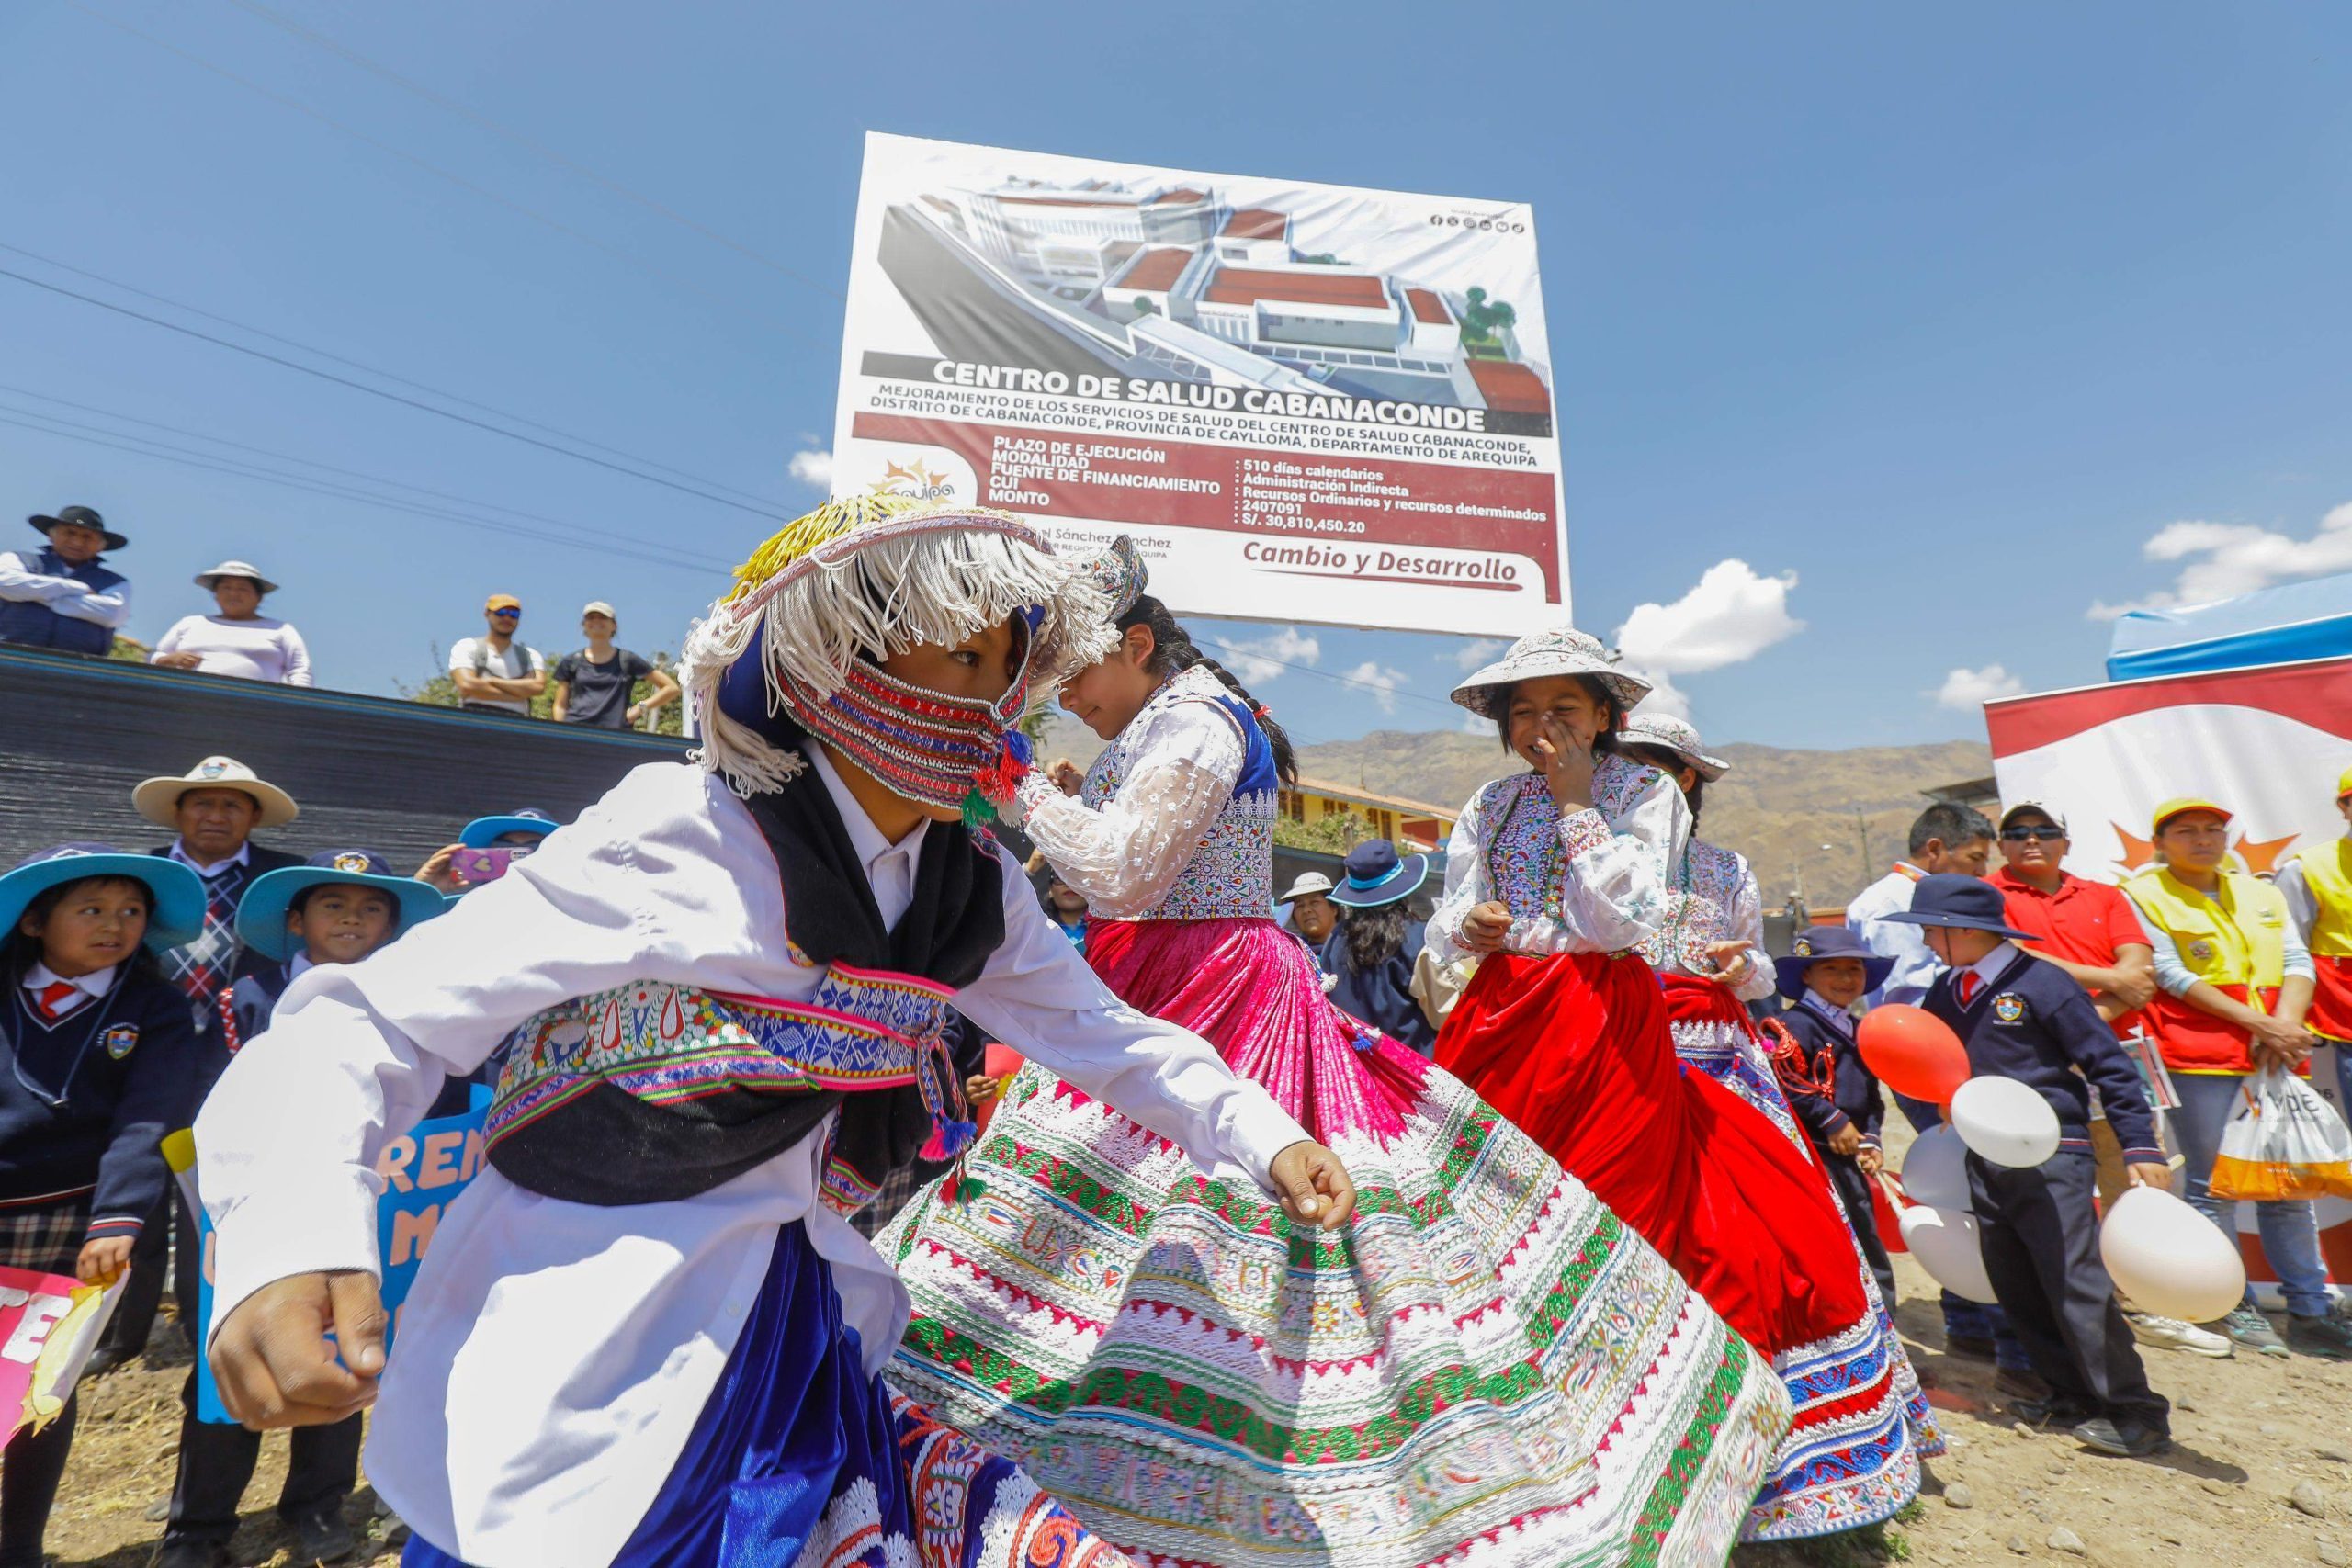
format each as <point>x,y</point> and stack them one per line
<point>1577,1052</point>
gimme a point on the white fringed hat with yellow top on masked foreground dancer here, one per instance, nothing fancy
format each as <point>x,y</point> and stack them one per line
<point>874,577</point>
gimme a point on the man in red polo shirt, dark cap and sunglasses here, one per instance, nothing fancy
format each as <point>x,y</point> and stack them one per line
<point>2092,932</point>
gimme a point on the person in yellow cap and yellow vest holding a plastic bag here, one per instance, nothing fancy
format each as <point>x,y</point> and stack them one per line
<point>2233,986</point>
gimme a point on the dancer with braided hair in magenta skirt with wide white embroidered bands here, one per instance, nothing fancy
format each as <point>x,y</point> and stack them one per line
<point>1485,1369</point>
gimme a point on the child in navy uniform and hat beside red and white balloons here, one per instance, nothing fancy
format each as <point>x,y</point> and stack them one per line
<point>2029,1021</point>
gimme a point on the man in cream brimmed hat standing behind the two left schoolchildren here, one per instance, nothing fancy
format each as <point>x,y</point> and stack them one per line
<point>213,812</point>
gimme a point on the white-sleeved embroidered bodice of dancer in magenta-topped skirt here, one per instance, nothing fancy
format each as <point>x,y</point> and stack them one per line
<point>1175,819</point>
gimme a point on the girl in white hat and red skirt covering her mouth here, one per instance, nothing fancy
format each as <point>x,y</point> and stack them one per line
<point>1558,880</point>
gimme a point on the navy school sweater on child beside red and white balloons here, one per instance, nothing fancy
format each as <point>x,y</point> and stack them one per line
<point>2036,1024</point>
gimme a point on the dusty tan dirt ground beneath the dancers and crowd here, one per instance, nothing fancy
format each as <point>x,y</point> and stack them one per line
<point>2247,1433</point>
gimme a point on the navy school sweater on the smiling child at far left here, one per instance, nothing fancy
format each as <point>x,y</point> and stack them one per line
<point>88,1099</point>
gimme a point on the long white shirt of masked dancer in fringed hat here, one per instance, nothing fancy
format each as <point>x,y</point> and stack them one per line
<point>554,1355</point>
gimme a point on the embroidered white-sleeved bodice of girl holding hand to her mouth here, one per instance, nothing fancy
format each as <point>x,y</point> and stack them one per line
<point>1575,883</point>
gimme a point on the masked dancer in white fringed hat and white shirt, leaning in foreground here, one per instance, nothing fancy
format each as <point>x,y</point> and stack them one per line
<point>648,1334</point>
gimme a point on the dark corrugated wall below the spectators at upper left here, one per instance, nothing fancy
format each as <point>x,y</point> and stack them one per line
<point>76,735</point>
